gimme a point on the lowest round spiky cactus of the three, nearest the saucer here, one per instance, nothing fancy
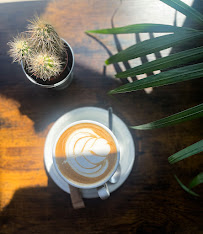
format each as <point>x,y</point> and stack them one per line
<point>44,66</point>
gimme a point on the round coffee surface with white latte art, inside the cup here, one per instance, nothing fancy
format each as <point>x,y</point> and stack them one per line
<point>85,154</point>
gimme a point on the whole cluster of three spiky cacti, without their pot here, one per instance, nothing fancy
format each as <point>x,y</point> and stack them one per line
<point>40,48</point>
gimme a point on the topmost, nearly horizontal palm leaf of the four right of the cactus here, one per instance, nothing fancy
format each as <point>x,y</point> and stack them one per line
<point>140,28</point>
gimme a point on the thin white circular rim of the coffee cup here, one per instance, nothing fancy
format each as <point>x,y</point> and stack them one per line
<point>100,183</point>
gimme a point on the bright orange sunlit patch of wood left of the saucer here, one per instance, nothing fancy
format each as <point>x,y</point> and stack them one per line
<point>21,152</point>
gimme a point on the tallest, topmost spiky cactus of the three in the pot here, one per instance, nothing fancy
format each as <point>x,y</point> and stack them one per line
<point>44,37</point>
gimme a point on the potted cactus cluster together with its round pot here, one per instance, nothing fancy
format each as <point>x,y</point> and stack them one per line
<point>46,59</point>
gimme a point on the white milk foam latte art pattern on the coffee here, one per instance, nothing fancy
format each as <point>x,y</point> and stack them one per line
<point>86,152</point>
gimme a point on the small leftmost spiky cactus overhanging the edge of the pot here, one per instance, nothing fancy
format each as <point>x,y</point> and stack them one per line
<point>19,48</point>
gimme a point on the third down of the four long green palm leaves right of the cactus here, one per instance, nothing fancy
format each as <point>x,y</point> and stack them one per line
<point>165,62</point>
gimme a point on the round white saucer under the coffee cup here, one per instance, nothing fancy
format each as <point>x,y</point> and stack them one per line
<point>120,130</point>
